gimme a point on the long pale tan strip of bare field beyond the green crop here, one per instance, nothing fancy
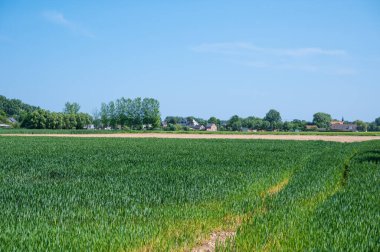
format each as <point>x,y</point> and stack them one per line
<point>342,139</point>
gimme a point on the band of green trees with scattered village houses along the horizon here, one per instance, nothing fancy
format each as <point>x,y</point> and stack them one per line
<point>144,114</point>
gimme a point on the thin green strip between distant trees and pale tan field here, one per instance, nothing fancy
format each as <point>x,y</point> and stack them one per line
<point>47,131</point>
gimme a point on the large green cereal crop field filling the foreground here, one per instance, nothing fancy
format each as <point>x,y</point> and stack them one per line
<point>171,194</point>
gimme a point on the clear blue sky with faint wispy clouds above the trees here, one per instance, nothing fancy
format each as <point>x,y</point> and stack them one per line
<point>203,58</point>
